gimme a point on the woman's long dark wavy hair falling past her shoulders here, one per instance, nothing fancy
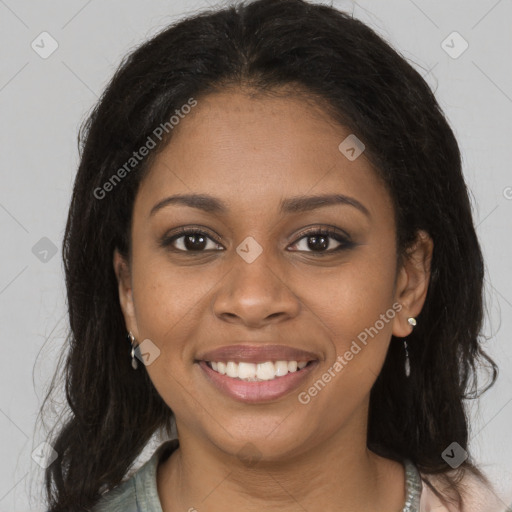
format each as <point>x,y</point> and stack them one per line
<point>364,84</point>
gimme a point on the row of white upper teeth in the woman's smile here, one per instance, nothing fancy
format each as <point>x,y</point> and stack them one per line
<point>268,370</point>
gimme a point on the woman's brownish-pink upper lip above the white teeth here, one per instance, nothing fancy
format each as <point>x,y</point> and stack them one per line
<point>257,354</point>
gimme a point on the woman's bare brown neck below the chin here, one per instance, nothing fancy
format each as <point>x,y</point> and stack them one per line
<point>334,473</point>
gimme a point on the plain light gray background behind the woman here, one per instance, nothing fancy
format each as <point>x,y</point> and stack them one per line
<point>43,101</point>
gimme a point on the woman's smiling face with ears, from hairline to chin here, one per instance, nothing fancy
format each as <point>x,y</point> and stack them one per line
<point>261,264</point>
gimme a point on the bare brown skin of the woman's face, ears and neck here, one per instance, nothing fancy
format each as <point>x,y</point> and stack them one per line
<point>251,152</point>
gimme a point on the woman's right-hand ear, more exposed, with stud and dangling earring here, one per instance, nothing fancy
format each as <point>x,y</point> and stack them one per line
<point>412,282</point>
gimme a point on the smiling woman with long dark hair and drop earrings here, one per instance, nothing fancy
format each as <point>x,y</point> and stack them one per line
<point>270,246</point>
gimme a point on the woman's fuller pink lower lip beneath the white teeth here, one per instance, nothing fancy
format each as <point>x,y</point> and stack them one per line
<point>257,391</point>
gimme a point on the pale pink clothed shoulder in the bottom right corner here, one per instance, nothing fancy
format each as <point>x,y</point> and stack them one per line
<point>477,496</point>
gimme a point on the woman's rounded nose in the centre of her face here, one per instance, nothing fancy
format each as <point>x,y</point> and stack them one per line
<point>255,294</point>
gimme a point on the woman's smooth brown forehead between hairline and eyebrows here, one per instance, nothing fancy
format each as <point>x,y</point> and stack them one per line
<point>255,150</point>
